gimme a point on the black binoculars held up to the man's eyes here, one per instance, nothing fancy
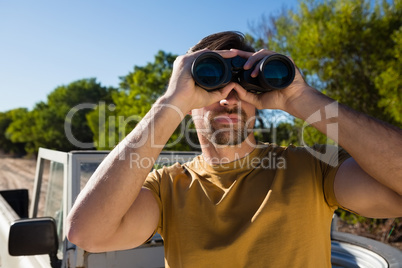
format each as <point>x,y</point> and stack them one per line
<point>211,71</point>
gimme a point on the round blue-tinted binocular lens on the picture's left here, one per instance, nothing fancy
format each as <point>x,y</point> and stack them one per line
<point>210,71</point>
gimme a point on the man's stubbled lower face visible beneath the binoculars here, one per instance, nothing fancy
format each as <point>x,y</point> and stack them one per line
<point>228,122</point>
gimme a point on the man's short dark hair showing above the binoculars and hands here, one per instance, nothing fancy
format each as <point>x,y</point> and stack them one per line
<point>223,41</point>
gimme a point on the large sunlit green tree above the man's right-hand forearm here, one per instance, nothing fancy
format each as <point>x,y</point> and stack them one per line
<point>348,49</point>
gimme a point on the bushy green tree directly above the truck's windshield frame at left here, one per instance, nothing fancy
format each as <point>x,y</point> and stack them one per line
<point>61,122</point>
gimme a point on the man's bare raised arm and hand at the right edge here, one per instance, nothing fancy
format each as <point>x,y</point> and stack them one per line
<point>371,182</point>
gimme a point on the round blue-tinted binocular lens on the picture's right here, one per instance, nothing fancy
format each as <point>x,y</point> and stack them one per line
<point>277,73</point>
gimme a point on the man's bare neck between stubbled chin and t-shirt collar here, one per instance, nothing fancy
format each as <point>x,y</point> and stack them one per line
<point>218,154</point>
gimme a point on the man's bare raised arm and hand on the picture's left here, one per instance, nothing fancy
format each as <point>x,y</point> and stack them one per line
<point>113,211</point>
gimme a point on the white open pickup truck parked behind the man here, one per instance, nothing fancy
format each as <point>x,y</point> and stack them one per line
<point>36,238</point>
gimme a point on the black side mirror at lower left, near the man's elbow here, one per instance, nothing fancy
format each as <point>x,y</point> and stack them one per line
<point>33,237</point>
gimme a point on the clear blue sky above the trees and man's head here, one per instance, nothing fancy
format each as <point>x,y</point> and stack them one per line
<point>45,44</point>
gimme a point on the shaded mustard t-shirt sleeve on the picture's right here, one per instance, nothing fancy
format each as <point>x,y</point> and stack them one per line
<point>330,159</point>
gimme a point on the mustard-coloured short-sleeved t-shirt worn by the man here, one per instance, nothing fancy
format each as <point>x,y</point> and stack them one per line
<point>272,208</point>
